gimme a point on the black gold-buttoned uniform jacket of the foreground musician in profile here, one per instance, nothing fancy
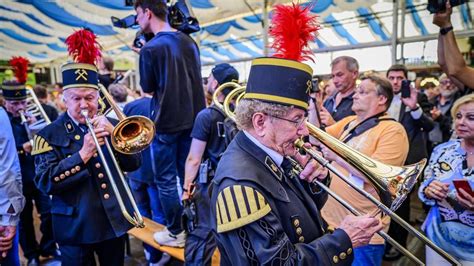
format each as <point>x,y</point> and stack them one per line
<point>263,217</point>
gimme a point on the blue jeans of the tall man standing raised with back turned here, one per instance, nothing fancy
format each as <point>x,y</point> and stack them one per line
<point>170,152</point>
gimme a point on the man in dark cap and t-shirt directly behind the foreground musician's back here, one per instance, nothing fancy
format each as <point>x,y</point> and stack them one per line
<point>206,148</point>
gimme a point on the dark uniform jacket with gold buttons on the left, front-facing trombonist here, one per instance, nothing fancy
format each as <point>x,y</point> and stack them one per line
<point>84,206</point>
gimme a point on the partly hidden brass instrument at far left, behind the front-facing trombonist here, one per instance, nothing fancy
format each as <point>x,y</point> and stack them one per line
<point>33,109</point>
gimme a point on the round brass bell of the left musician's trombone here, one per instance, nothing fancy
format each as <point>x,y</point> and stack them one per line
<point>133,134</point>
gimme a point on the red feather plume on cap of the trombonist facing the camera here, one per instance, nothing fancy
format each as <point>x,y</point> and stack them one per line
<point>83,46</point>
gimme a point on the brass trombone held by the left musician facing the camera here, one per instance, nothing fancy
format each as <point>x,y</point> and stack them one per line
<point>131,135</point>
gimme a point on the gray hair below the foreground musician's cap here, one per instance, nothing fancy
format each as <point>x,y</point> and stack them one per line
<point>247,108</point>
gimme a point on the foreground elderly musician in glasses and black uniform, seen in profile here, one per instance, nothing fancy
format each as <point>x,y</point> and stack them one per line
<point>262,213</point>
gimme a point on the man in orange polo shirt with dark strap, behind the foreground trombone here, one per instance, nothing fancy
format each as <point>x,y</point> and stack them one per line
<point>374,134</point>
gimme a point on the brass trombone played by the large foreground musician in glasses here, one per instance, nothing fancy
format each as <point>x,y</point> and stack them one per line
<point>392,183</point>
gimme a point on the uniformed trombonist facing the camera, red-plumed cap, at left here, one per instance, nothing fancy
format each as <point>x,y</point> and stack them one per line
<point>86,215</point>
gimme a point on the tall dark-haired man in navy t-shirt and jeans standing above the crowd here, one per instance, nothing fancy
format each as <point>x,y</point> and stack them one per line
<point>170,70</point>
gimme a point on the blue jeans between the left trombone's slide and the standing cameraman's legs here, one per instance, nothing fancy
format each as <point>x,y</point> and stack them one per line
<point>148,203</point>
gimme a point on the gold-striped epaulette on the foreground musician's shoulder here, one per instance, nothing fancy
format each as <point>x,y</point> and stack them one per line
<point>237,206</point>
